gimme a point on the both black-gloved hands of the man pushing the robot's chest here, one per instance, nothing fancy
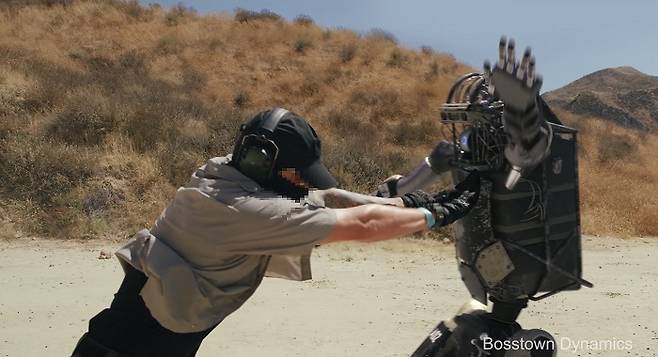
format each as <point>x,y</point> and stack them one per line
<point>447,206</point>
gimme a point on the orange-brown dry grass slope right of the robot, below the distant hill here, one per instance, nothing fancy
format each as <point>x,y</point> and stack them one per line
<point>618,178</point>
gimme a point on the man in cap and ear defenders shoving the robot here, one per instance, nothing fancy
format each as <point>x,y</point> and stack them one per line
<point>257,212</point>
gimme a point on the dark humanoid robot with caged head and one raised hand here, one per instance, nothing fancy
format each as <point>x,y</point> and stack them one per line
<point>521,242</point>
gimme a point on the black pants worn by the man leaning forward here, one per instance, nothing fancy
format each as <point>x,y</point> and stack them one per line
<point>128,329</point>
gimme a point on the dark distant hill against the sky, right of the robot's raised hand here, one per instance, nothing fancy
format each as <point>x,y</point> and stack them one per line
<point>622,95</point>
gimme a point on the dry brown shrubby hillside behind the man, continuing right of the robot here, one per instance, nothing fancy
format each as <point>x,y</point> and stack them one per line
<point>106,107</point>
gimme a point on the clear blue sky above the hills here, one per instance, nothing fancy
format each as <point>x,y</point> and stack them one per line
<point>570,38</point>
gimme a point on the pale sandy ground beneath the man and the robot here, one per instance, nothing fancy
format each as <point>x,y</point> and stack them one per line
<point>365,300</point>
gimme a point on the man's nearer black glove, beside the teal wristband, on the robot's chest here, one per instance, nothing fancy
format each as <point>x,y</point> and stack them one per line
<point>449,206</point>
